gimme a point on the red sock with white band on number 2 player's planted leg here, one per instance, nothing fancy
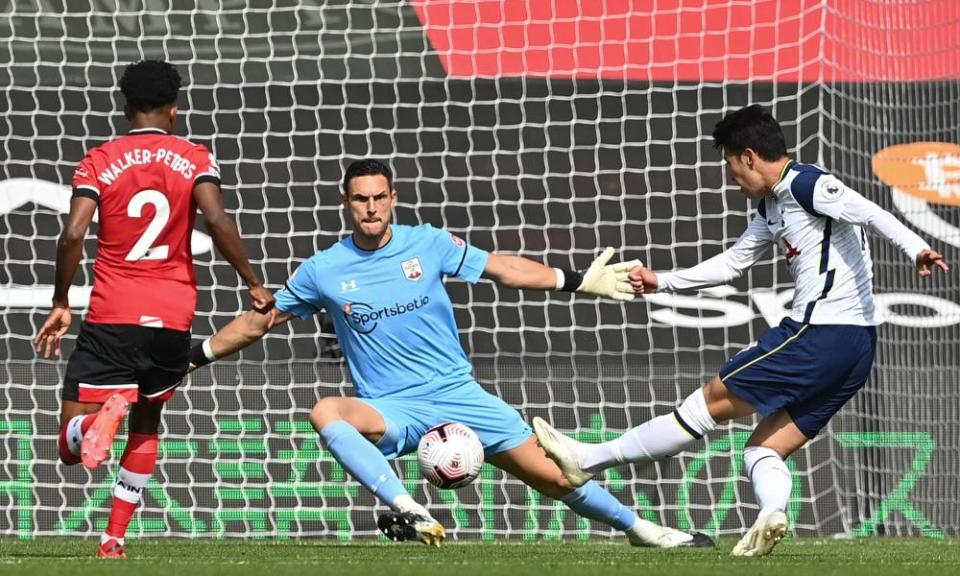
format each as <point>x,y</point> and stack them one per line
<point>136,466</point>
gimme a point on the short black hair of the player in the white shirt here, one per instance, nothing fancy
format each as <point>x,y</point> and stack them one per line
<point>751,127</point>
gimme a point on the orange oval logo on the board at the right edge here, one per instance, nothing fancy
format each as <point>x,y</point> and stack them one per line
<point>929,171</point>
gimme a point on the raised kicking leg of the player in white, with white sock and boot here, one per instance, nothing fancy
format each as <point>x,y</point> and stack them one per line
<point>655,439</point>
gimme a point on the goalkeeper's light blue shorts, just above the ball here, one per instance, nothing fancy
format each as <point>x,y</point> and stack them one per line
<point>498,425</point>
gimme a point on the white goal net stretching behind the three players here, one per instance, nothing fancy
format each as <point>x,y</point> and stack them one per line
<point>547,129</point>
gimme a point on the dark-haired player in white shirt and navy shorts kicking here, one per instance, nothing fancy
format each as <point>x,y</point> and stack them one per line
<point>800,373</point>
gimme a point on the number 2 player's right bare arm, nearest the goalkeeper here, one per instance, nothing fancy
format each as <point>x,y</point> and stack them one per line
<point>227,240</point>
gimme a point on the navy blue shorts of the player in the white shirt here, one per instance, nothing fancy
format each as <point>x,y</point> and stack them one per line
<point>808,370</point>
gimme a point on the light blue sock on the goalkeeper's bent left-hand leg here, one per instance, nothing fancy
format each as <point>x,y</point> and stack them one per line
<point>363,461</point>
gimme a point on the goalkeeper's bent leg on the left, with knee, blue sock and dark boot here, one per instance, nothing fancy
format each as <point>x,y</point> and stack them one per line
<point>350,428</point>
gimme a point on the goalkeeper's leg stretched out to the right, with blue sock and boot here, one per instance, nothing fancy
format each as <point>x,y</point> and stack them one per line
<point>529,463</point>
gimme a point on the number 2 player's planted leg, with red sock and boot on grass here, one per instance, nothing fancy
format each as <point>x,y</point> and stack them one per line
<point>137,464</point>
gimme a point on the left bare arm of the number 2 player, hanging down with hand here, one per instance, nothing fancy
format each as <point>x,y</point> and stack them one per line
<point>69,253</point>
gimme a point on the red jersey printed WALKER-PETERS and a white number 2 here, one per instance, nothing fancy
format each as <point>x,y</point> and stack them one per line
<point>143,183</point>
